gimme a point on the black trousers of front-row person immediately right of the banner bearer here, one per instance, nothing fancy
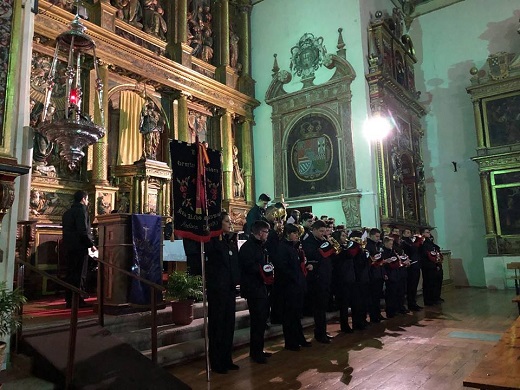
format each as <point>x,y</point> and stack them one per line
<point>258,314</point>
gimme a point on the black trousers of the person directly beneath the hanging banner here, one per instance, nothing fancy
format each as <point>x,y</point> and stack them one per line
<point>221,327</point>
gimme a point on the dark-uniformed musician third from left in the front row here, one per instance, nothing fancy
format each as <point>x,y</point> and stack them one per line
<point>289,262</point>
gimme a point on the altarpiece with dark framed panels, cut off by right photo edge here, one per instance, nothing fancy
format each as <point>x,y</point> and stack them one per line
<point>495,93</point>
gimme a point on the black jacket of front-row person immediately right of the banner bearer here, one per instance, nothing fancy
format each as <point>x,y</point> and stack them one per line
<point>252,256</point>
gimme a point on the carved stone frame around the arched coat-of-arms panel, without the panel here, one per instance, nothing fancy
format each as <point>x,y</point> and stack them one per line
<point>330,100</point>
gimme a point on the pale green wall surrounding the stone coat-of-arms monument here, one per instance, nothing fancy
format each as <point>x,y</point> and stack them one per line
<point>276,28</point>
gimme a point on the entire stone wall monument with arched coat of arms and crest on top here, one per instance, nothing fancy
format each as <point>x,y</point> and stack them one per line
<point>312,134</point>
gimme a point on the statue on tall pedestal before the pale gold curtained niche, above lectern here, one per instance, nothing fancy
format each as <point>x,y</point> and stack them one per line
<point>151,127</point>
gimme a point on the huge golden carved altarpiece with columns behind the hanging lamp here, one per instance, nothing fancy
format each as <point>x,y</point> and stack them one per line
<point>175,69</point>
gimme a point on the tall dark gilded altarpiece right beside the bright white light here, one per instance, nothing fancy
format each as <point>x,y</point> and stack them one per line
<point>391,81</point>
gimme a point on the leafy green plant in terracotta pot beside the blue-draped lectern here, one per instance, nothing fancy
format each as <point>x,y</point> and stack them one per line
<point>183,290</point>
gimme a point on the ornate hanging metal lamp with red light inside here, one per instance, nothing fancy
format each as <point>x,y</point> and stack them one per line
<point>65,123</point>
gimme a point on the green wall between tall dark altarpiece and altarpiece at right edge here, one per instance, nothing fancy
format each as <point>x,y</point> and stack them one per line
<point>449,42</point>
